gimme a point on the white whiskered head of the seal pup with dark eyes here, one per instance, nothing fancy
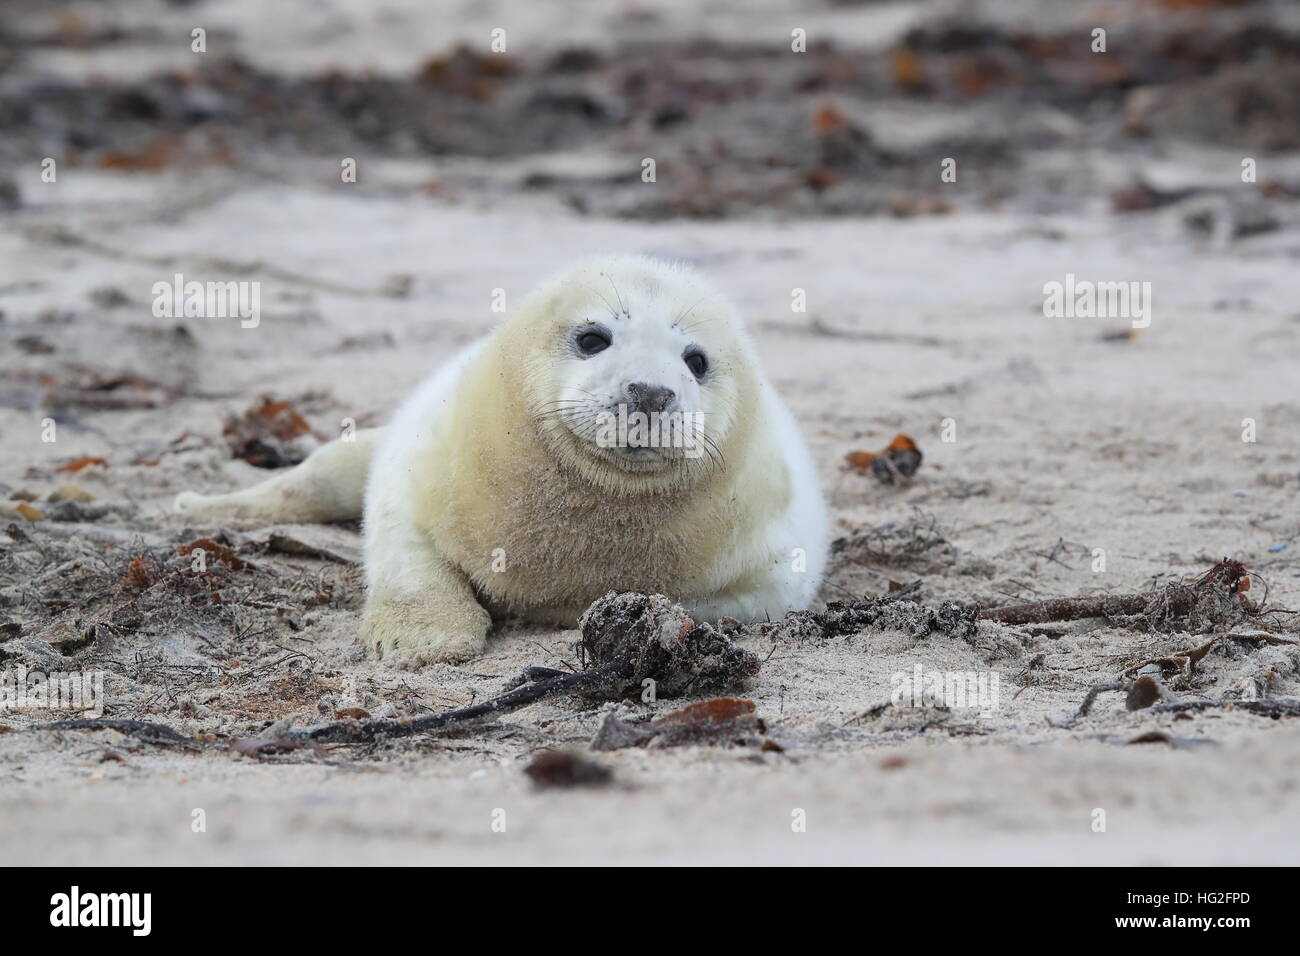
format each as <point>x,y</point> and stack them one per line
<point>638,373</point>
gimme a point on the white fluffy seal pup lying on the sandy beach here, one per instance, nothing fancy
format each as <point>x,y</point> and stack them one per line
<point>505,487</point>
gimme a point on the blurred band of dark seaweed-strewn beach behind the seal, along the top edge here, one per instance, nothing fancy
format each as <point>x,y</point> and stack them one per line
<point>738,124</point>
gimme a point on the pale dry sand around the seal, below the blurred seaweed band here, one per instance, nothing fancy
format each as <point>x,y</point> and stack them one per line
<point>1133,447</point>
